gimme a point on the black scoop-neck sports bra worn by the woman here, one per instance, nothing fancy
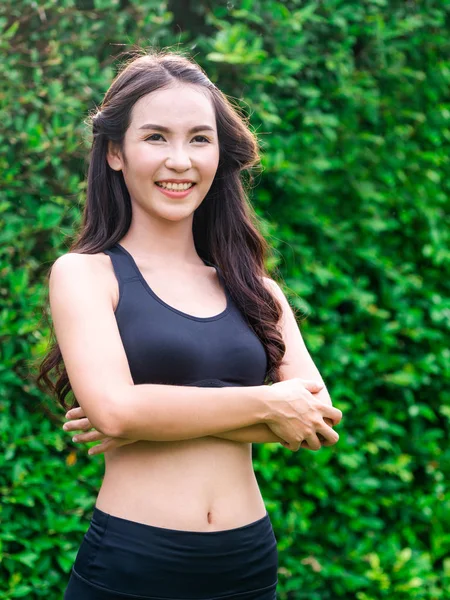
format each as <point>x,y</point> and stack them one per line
<point>167,346</point>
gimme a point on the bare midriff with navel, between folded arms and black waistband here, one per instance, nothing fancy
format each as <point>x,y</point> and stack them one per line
<point>203,484</point>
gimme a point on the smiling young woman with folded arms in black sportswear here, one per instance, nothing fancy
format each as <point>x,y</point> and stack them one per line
<point>170,331</point>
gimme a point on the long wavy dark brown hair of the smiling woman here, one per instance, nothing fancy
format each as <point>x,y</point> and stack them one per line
<point>225,225</point>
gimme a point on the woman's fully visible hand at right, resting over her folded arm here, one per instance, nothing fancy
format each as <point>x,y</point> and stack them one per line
<point>297,417</point>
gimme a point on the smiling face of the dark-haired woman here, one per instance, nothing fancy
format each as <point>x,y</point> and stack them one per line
<point>154,155</point>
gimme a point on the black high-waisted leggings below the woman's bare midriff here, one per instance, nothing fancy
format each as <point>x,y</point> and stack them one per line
<point>122,559</point>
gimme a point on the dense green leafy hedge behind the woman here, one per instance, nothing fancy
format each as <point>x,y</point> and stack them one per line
<point>352,107</point>
